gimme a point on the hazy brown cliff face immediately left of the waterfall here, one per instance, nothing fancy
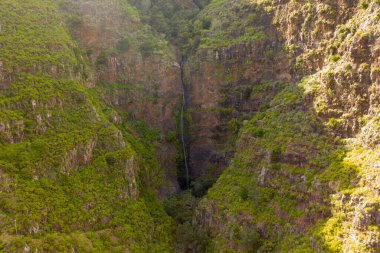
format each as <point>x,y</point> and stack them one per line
<point>134,70</point>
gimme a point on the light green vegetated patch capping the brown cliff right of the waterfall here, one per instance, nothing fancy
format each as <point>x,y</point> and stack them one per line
<point>240,23</point>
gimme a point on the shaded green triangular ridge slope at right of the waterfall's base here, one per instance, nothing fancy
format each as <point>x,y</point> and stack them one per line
<point>283,165</point>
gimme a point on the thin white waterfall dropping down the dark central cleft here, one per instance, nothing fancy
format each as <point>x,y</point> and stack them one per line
<point>182,123</point>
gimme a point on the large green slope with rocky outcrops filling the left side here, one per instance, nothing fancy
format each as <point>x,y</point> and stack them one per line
<point>69,180</point>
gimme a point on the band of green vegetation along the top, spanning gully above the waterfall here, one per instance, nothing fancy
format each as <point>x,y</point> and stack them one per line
<point>193,27</point>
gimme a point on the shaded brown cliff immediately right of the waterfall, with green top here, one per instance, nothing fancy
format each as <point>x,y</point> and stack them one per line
<point>222,73</point>
